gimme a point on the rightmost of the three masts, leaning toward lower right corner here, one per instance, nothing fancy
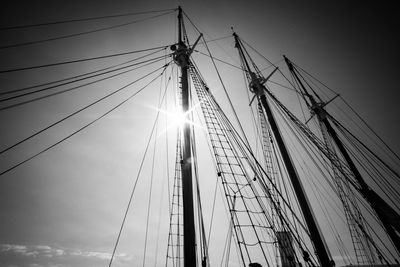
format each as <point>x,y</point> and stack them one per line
<point>387,215</point>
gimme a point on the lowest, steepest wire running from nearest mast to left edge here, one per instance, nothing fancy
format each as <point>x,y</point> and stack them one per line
<point>85,126</point>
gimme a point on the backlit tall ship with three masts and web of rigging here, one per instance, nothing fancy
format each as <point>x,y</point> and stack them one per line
<point>296,184</point>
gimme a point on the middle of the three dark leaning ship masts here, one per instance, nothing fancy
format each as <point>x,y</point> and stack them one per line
<point>258,88</point>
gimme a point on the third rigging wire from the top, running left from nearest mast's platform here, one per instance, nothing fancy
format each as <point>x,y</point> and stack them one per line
<point>81,60</point>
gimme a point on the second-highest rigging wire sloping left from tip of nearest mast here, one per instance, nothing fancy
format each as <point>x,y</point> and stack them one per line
<point>82,33</point>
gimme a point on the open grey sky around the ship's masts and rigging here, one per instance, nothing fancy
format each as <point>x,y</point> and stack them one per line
<point>65,207</point>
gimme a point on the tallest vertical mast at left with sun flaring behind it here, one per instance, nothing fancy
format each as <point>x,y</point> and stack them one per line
<point>181,57</point>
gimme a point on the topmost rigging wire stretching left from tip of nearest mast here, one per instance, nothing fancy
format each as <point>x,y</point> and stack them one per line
<point>80,20</point>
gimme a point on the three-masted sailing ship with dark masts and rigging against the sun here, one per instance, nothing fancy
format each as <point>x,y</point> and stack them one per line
<point>283,188</point>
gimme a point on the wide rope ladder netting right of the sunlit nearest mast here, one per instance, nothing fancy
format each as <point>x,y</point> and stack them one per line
<point>236,181</point>
